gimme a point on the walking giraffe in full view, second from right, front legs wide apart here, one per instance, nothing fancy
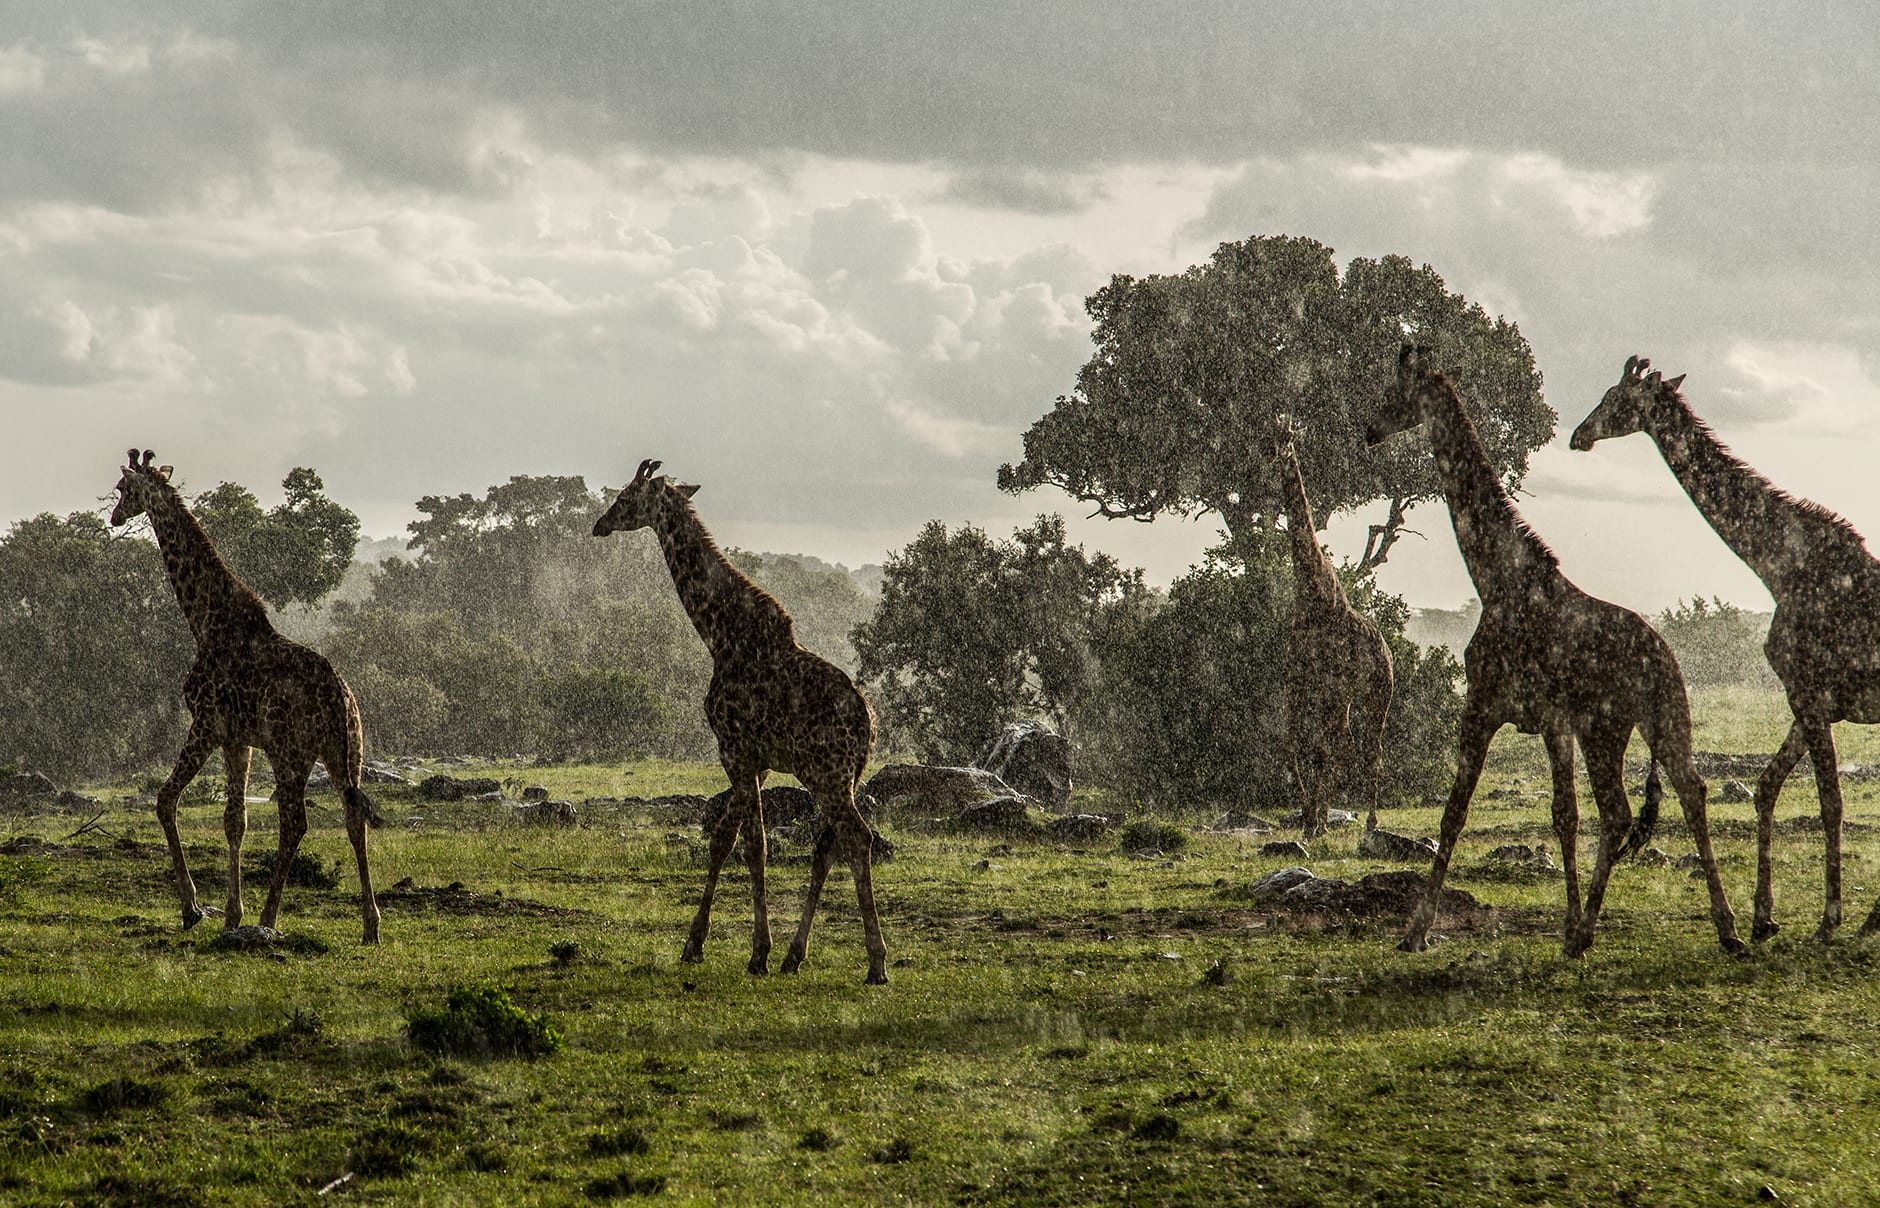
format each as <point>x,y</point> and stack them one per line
<point>1552,660</point>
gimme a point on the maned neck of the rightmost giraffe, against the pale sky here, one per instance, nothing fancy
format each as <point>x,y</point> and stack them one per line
<point>1755,519</point>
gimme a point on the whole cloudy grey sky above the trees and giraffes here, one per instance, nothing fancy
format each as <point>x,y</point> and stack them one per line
<point>830,260</point>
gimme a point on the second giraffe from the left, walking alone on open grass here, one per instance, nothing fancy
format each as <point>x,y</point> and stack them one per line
<point>774,707</point>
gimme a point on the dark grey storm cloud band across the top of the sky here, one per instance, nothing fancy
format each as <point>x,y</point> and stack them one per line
<point>394,89</point>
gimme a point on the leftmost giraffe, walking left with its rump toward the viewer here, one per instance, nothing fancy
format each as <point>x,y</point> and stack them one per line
<point>249,687</point>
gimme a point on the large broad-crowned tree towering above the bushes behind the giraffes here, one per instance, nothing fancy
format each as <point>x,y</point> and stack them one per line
<point>1189,369</point>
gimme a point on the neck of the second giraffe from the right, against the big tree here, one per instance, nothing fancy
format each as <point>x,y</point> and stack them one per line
<point>1497,546</point>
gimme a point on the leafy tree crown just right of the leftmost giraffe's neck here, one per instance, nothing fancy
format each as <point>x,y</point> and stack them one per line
<point>294,553</point>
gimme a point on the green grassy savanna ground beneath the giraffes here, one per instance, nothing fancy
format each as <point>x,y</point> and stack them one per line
<point>1052,1030</point>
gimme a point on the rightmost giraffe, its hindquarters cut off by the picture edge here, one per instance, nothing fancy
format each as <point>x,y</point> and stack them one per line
<point>1825,638</point>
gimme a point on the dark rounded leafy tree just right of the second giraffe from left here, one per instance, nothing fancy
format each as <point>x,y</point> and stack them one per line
<point>975,632</point>
